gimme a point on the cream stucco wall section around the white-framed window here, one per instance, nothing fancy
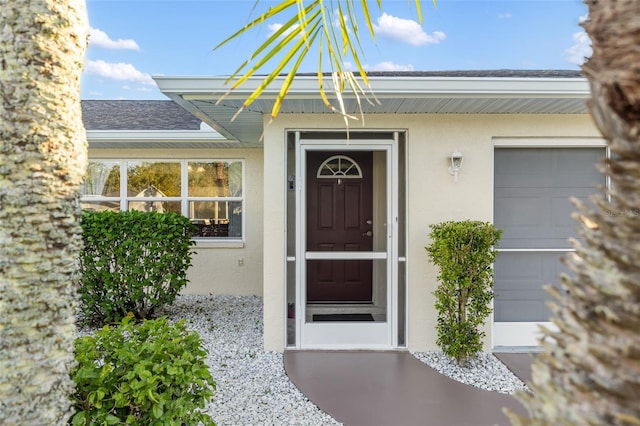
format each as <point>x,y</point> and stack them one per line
<point>219,267</point>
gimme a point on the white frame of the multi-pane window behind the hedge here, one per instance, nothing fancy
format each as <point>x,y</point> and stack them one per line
<point>184,199</point>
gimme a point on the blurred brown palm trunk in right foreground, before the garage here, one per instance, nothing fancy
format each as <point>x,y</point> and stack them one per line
<point>589,373</point>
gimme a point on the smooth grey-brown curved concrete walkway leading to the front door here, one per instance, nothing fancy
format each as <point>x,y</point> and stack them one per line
<point>392,389</point>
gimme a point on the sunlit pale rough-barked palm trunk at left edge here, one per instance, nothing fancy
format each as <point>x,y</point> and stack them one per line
<point>42,162</point>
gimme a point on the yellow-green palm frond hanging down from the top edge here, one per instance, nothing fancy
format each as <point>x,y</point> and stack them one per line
<point>307,26</point>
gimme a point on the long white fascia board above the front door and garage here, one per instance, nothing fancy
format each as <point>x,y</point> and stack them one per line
<point>191,88</point>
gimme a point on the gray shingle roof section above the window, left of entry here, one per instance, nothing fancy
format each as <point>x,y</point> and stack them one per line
<point>137,115</point>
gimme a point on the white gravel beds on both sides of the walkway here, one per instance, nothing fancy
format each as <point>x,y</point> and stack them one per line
<point>252,386</point>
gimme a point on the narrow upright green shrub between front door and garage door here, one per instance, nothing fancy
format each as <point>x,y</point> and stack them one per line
<point>464,253</point>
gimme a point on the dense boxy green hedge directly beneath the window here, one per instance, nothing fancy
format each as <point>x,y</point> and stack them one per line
<point>132,262</point>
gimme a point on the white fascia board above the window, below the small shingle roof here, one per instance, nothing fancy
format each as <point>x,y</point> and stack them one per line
<point>156,136</point>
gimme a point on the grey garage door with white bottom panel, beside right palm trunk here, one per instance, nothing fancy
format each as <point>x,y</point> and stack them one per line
<point>532,190</point>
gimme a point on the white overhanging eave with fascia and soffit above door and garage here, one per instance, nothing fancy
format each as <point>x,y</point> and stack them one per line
<point>398,93</point>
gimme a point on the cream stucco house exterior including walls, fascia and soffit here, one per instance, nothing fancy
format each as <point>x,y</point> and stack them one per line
<point>435,116</point>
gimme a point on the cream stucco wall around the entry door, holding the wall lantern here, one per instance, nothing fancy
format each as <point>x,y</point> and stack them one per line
<point>432,195</point>
